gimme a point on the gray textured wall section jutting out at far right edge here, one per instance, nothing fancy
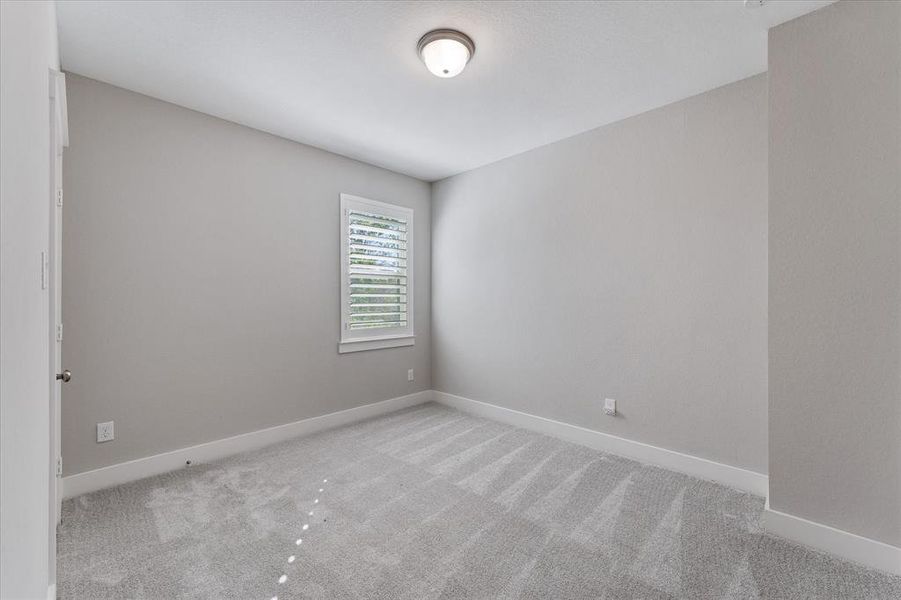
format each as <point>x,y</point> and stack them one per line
<point>835,268</point>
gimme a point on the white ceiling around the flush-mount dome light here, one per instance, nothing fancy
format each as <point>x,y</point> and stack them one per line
<point>345,76</point>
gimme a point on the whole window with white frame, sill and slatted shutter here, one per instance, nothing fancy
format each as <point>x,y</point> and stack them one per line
<point>376,275</point>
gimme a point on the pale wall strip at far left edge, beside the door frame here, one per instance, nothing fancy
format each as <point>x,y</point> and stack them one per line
<point>28,49</point>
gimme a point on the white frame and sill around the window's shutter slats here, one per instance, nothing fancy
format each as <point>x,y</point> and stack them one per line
<point>389,337</point>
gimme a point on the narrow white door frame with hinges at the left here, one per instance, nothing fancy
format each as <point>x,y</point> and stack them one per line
<point>52,279</point>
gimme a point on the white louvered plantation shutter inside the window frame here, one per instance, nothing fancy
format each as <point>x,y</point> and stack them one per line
<point>376,271</point>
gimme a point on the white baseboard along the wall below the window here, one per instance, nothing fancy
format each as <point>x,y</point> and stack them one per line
<point>90,481</point>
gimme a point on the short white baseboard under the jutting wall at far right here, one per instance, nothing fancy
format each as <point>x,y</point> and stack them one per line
<point>850,546</point>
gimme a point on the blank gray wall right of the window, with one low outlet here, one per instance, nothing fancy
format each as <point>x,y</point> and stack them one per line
<point>628,262</point>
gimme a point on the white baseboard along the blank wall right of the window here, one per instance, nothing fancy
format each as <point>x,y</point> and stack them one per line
<point>734,477</point>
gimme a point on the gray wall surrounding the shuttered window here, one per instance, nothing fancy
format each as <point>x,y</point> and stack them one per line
<point>201,284</point>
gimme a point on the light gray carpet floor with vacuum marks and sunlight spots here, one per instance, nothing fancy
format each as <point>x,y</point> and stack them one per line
<point>431,503</point>
